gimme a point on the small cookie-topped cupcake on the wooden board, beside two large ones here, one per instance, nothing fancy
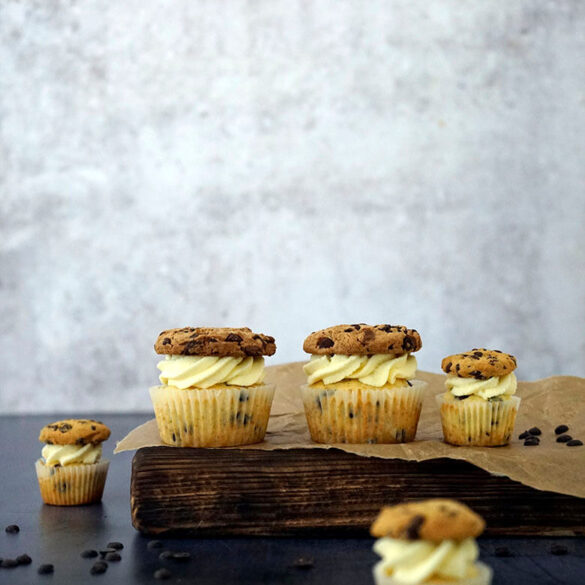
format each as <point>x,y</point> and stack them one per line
<point>479,407</point>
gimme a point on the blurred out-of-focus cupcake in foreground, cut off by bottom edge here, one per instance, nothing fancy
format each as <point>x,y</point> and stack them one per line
<point>430,542</point>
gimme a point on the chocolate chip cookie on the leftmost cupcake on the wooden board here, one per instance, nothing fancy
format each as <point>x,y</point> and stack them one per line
<point>215,341</point>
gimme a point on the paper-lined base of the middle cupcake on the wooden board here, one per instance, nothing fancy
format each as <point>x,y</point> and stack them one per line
<point>363,415</point>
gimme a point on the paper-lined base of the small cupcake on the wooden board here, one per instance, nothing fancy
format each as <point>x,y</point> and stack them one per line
<point>478,423</point>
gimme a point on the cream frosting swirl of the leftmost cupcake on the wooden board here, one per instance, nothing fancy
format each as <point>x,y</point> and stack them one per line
<point>186,371</point>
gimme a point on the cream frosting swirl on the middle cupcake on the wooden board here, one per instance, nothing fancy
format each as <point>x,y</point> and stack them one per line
<point>376,370</point>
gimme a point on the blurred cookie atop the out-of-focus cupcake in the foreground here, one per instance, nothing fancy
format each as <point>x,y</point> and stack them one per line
<point>433,520</point>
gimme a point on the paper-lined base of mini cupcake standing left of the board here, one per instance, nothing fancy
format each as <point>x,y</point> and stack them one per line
<point>72,485</point>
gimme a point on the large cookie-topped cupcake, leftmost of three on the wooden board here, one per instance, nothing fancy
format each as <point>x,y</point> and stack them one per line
<point>212,392</point>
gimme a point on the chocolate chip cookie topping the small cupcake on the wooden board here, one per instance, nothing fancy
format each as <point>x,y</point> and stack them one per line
<point>480,364</point>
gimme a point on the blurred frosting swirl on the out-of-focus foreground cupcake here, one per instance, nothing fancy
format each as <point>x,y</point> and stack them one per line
<point>414,562</point>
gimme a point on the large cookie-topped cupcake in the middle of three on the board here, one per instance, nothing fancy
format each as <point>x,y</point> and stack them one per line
<point>361,386</point>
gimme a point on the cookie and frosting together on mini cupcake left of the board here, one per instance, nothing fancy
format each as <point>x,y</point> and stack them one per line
<point>73,442</point>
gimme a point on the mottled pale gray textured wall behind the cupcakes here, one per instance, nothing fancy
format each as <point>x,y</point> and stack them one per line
<point>285,165</point>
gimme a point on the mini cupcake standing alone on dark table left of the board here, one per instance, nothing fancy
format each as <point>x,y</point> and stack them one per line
<point>71,471</point>
